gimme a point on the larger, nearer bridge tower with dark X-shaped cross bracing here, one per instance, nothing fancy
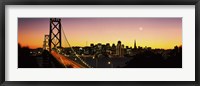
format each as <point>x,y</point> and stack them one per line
<point>55,33</point>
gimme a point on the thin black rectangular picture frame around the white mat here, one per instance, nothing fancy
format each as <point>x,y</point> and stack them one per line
<point>98,2</point>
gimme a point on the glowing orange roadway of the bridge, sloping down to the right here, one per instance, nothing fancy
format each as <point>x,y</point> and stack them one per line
<point>65,61</point>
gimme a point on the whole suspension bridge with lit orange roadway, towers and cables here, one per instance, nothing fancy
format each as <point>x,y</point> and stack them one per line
<point>53,44</point>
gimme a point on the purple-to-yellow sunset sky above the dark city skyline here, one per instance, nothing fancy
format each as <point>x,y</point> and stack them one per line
<point>151,32</point>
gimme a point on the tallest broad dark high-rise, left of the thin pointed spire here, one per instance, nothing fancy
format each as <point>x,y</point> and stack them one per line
<point>119,49</point>
